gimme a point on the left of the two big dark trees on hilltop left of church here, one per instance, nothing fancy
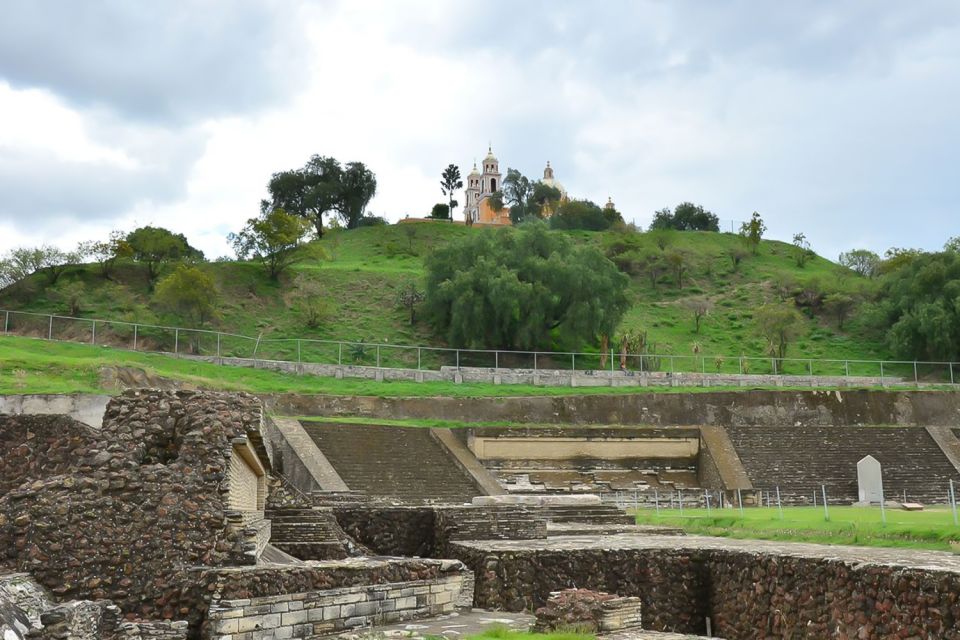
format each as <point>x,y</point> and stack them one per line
<point>310,192</point>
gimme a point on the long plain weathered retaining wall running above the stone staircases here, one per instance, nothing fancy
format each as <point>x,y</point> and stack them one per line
<point>777,408</point>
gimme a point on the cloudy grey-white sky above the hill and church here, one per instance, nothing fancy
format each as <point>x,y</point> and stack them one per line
<point>837,119</point>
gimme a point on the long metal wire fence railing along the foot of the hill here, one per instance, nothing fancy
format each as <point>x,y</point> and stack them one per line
<point>138,336</point>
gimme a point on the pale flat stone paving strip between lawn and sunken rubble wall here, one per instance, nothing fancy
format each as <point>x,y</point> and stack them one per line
<point>894,557</point>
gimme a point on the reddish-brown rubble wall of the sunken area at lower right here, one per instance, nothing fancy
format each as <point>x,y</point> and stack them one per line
<point>746,594</point>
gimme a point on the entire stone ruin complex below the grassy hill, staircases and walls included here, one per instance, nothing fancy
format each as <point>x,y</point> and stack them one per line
<point>186,514</point>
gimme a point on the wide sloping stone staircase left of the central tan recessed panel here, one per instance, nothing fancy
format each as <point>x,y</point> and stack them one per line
<point>405,465</point>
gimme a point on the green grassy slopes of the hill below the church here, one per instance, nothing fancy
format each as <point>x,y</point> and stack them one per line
<point>367,266</point>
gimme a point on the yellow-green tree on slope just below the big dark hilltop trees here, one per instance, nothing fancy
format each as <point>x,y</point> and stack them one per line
<point>272,238</point>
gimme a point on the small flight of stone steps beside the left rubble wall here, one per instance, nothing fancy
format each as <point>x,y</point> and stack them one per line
<point>307,533</point>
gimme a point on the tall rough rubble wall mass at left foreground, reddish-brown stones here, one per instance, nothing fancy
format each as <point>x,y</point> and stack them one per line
<point>134,509</point>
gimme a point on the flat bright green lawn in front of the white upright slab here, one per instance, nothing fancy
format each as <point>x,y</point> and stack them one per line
<point>932,528</point>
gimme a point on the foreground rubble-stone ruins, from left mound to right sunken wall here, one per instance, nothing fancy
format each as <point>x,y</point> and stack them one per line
<point>174,520</point>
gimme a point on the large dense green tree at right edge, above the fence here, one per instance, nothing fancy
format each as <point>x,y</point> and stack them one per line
<point>921,304</point>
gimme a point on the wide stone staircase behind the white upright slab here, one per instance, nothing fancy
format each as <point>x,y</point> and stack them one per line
<point>801,459</point>
